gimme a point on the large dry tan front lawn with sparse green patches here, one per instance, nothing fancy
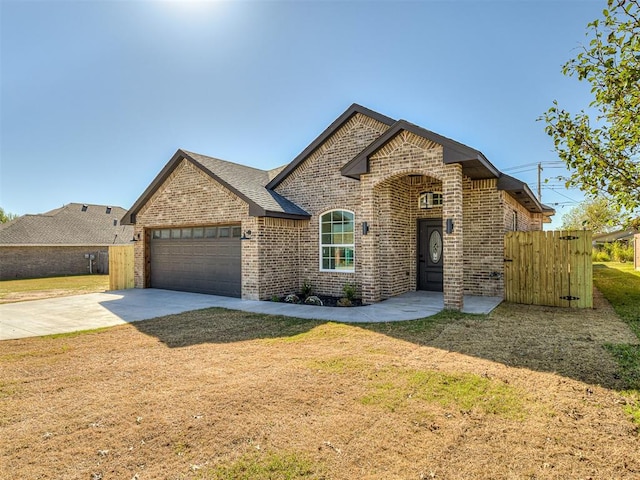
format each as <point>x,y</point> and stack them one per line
<point>525,393</point>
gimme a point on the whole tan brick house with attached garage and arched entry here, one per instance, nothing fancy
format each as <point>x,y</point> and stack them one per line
<point>382,204</point>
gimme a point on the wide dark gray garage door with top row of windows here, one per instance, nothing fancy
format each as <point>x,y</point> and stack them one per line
<point>199,259</point>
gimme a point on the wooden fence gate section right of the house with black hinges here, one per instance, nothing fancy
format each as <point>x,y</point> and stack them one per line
<point>549,268</point>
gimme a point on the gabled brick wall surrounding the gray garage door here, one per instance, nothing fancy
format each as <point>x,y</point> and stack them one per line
<point>189,197</point>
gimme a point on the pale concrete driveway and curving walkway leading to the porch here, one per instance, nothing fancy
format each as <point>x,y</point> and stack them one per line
<point>95,310</point>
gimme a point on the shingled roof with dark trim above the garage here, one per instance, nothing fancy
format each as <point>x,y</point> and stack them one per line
<point>247,183</point>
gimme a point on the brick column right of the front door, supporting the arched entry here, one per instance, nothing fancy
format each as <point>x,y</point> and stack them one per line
<point>452,242</point>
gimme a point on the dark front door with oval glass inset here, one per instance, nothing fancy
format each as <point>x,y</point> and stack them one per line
<point>430,276</point>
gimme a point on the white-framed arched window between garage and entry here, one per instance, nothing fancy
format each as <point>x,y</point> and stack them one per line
<point>336,241</point>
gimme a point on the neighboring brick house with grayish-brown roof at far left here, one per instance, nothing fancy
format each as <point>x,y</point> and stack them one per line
<point>61,242</point>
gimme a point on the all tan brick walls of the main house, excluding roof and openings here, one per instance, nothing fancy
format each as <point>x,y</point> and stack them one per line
<point>284,253</point>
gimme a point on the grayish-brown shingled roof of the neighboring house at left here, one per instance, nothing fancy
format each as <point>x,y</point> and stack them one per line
<point>75,224</point>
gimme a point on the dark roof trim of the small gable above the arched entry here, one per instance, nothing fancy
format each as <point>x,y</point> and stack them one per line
<point>474,164</point>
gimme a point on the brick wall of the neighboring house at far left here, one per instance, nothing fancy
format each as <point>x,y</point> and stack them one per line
<point>49,261</point>
